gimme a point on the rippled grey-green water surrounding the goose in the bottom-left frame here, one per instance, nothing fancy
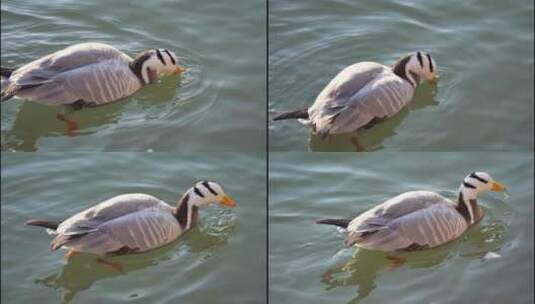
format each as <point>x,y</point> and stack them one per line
<point>223,260</point>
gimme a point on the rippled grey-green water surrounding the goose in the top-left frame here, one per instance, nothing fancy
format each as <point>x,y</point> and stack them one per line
<point>218,105</point>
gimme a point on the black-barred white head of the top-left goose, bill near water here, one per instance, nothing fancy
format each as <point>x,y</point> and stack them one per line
<point>152,64</point>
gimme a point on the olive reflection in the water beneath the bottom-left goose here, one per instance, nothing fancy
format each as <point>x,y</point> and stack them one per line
<point>83,270</point>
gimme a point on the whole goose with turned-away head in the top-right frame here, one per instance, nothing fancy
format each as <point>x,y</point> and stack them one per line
<point>364,93</point>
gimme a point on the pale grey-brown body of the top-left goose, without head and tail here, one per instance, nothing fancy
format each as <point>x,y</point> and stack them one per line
<point>92,72</point>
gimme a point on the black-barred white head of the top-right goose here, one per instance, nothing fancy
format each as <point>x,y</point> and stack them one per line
<point>415,67</point>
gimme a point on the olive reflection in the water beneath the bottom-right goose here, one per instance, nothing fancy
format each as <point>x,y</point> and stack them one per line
<point>365,266</point>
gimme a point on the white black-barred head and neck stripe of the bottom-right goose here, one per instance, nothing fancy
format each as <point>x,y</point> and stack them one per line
<point>475,183</point>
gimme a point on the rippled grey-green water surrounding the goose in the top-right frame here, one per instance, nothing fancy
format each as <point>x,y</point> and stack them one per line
<point>484,51</point>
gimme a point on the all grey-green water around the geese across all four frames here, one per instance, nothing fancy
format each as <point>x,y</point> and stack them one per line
<point>210,123</point>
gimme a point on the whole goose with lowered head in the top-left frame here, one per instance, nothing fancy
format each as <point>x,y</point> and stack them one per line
<point>90,73</point>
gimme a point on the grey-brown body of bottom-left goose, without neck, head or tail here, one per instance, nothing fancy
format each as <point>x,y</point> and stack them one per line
<point>135,222</point>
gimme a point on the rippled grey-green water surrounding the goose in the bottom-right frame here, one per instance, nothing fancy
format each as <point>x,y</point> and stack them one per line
<point>309,263</point>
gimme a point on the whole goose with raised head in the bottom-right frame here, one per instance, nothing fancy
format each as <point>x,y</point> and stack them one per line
<point>418,220</point>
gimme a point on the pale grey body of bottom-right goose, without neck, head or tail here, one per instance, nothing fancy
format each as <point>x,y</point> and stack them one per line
<point>409,221</point>
